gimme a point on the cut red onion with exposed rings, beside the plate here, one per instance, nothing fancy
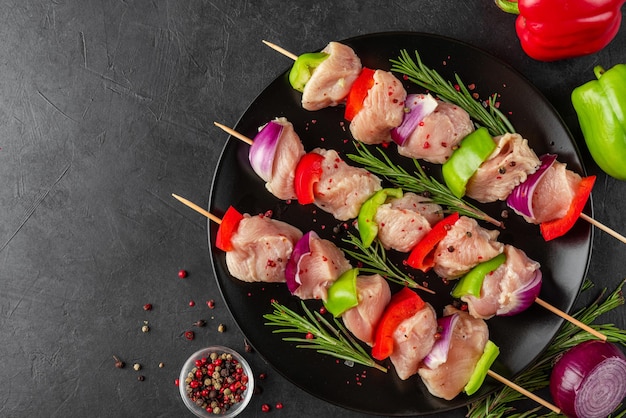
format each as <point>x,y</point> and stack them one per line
<point>589,380</point>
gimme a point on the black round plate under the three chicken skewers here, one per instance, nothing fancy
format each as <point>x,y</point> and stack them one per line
<point>521,338</point>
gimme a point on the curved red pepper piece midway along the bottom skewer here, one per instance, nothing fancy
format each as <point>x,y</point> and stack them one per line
<point>402,305</point>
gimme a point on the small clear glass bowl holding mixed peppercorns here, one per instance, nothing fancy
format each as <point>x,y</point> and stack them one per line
<point>235,408</point>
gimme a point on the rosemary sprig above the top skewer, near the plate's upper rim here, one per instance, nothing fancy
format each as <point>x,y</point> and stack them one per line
<point>486,114</point>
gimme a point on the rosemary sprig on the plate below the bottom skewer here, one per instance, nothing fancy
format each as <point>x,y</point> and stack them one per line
<point>336,342</point>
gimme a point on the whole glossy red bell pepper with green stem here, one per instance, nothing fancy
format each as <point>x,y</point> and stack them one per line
<point>551,30</point>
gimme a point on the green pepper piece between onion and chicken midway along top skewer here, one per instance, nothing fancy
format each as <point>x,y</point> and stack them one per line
<point>473,150</point>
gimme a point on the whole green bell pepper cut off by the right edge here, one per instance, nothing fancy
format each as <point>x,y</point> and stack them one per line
<point>601,108</point>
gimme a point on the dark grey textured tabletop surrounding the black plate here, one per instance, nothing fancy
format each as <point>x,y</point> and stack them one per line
<point>106,108</point>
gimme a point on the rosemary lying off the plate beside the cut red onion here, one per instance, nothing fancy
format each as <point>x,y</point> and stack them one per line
<point>537,376</point>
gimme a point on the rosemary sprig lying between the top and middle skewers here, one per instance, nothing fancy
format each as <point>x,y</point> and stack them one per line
<point>418,182</point>
